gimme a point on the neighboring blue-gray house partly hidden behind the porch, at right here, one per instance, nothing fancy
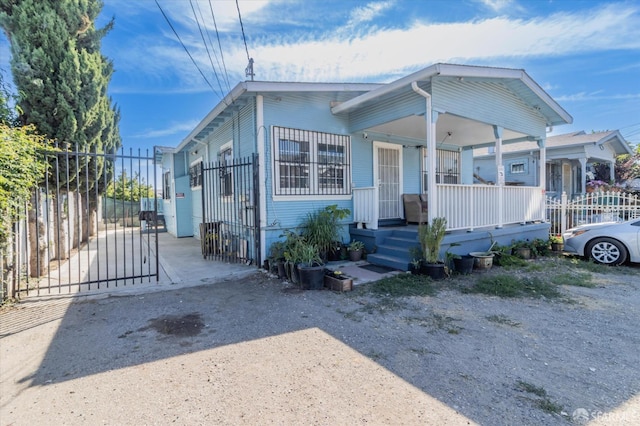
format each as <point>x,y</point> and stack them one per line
<point>569,159</point>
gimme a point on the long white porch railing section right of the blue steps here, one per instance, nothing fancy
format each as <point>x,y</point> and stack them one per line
<point>472,206</point>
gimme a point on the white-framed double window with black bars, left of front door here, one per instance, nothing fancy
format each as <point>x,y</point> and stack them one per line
<point>307,162</point>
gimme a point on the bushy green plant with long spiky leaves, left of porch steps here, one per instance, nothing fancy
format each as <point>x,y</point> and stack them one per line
<point>322,228</point>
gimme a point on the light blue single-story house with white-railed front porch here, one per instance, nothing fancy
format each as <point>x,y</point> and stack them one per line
<point>270,152</point>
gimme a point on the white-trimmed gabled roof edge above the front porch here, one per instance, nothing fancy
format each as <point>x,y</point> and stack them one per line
<point>517,80</point>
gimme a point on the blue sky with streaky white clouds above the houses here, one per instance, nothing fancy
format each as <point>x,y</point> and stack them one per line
<point>585,54</point>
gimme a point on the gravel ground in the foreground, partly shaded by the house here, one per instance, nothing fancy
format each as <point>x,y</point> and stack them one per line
<point>261,351</point>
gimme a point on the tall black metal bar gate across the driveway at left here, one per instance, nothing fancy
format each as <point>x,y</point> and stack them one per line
<point>85,229</point>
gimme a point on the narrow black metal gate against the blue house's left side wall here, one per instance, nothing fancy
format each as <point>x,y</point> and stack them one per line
<point>230,215</point>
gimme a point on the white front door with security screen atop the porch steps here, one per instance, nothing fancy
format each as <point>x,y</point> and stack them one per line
<point>387,173</point>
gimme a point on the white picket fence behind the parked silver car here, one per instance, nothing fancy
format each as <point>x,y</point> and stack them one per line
<point>594,207</point>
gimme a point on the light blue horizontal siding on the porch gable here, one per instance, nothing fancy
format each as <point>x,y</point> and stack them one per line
<point>488,102</point>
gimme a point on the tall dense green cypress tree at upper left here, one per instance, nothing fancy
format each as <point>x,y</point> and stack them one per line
<point>62,77</point>
